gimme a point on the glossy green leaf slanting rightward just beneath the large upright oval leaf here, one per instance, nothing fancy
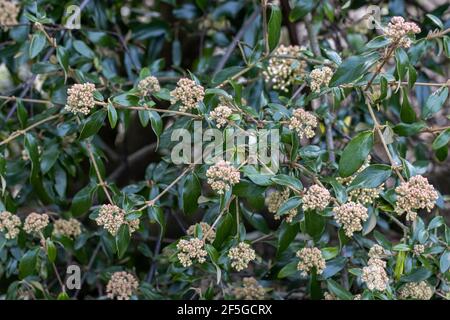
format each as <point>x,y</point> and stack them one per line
<point>371,177</point>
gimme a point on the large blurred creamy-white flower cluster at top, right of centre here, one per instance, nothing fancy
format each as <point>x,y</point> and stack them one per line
<point>283,70</point>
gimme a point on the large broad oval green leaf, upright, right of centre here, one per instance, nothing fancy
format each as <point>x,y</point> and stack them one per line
<point>355,153</point>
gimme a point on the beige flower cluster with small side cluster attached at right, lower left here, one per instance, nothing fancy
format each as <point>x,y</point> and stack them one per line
<point>111,217</point>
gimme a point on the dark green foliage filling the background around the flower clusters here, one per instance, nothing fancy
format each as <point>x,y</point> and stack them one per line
<point>117,40</point>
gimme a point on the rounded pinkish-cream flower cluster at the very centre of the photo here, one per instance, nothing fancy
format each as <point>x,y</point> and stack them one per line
<point>222,176</point>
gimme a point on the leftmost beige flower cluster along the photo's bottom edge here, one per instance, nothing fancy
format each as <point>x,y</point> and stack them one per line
<point>121,286</point>
